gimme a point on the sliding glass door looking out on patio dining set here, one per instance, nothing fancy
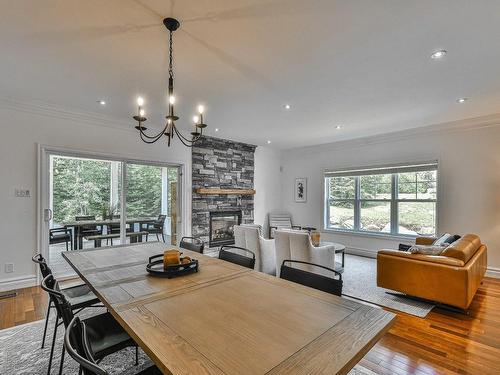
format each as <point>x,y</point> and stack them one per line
<point>94,202</point>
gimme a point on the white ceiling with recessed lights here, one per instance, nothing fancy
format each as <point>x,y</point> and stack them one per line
<point>363,64</point>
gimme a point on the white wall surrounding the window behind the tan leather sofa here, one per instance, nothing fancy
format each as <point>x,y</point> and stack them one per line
<point>469,179</point>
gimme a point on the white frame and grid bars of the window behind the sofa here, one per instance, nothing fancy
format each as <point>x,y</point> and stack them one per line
<point>394,200</point>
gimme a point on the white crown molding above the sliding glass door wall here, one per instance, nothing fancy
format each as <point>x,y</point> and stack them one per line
<point>51,110</point>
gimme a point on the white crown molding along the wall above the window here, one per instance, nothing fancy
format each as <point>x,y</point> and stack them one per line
<point>469,124</point>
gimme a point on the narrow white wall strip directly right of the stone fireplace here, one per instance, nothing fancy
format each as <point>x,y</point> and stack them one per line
<point>267,183</point>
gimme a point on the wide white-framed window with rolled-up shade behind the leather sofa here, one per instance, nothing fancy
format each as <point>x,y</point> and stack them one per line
<point>398,200</point>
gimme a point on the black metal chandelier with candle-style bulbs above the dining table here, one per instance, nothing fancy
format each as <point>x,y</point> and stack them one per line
<point>170,130</point>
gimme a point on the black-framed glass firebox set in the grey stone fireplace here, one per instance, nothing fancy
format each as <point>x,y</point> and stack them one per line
<point>222,227</point>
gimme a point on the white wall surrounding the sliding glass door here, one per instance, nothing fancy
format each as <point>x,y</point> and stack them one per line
<point>20,133</point>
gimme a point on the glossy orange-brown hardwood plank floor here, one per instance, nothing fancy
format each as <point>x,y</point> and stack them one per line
<point>442,343</point>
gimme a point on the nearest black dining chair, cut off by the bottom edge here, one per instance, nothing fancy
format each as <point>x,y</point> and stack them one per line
<point>77,344</point>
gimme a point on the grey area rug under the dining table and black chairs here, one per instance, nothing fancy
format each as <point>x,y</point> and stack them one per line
<point>20,354</point>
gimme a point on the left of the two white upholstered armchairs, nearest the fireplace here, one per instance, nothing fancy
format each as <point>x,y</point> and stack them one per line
<point>250,237</point>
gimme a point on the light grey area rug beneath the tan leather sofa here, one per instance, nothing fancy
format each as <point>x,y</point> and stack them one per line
<point>360,282</point>
